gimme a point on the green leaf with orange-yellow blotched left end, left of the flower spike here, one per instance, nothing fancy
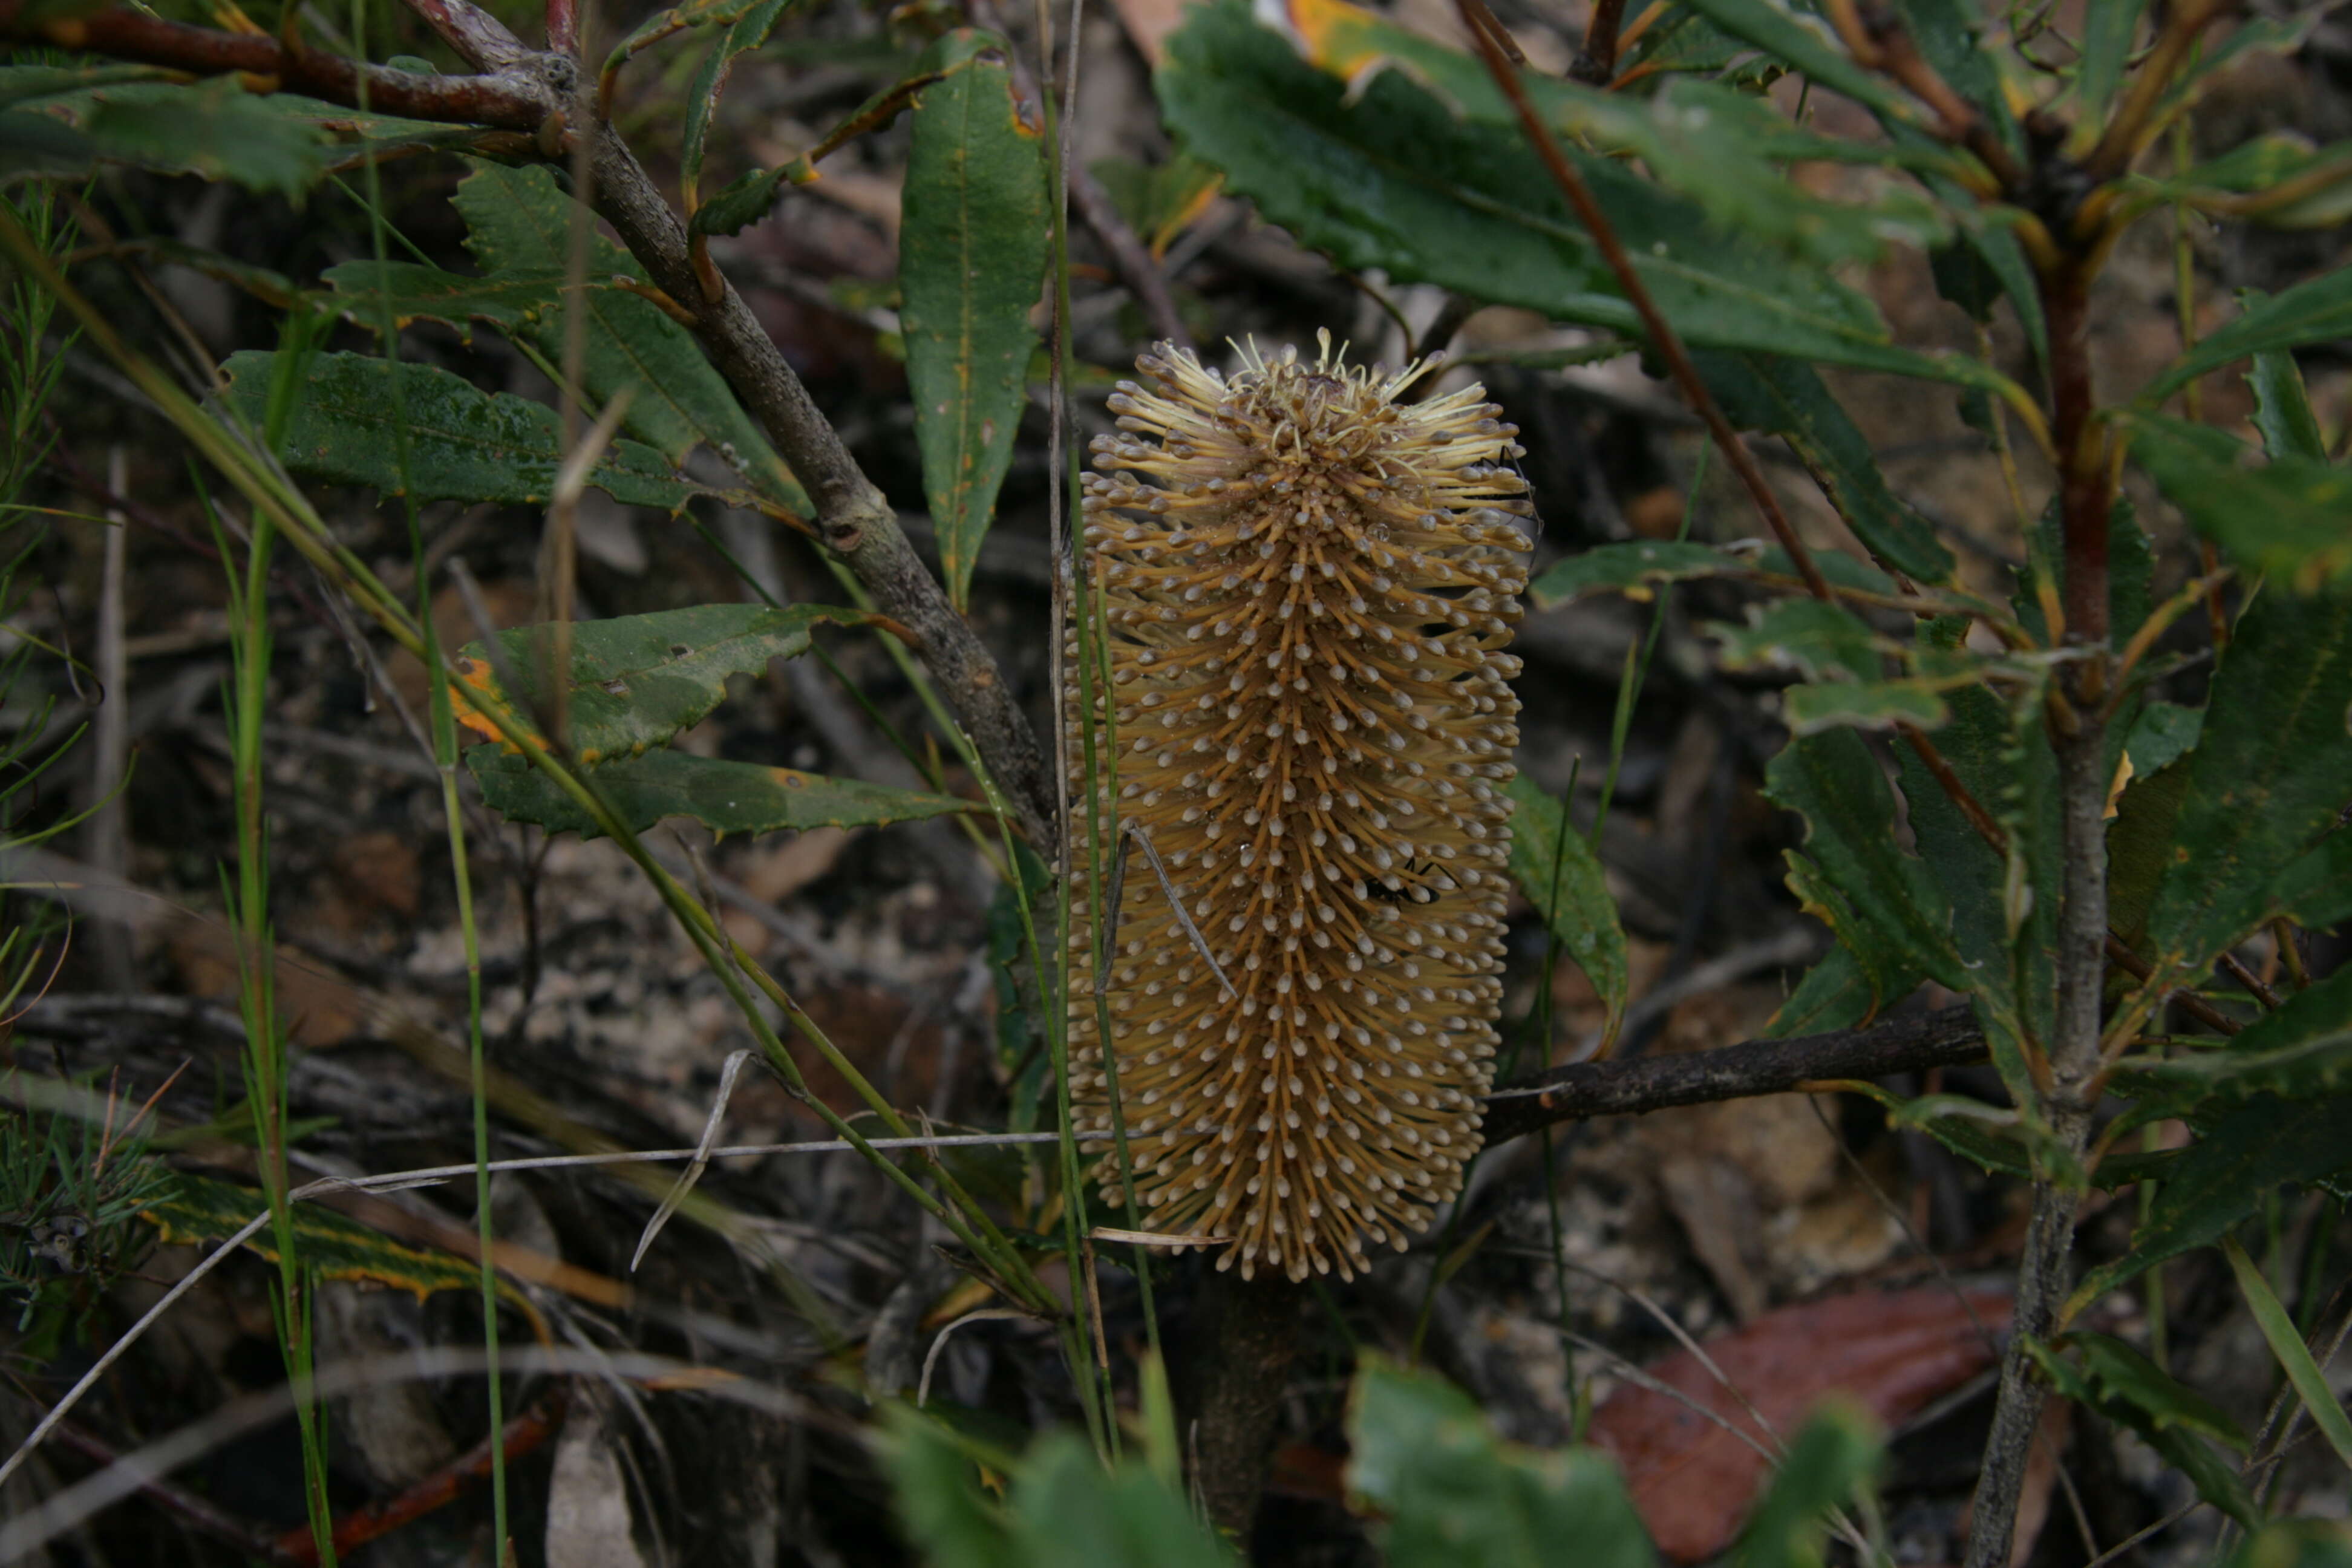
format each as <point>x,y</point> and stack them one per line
<point>641,681</point>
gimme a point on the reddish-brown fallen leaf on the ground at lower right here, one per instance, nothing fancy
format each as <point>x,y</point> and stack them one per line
<point>1890,1353</point>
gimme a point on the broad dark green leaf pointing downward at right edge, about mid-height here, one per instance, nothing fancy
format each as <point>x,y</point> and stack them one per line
<point>2271,775</point>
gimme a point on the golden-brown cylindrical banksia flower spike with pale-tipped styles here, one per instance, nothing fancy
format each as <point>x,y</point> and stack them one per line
<point>1307,591</point>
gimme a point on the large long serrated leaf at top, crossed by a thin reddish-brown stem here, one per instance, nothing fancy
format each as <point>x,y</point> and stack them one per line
<point>1394,180</point>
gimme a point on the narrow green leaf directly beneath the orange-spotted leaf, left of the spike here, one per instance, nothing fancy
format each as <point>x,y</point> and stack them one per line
<point>716,793</point>
